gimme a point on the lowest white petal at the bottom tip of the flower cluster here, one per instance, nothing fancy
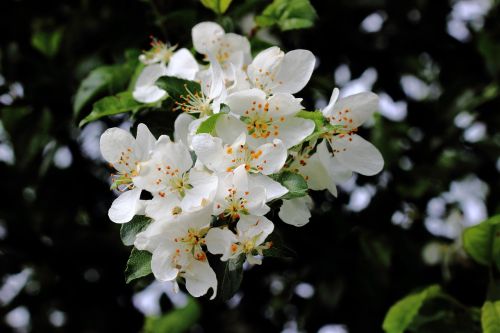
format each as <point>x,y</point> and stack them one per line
<point>199,278</point>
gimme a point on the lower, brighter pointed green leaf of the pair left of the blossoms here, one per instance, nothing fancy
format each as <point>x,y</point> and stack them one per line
<point>111,105</point>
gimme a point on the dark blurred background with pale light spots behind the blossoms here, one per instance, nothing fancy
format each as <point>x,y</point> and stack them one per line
<point>435,66</point>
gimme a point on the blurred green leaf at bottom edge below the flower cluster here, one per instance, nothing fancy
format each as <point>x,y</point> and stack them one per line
<point>175,321</point>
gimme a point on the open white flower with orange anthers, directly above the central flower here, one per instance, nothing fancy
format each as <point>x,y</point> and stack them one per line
<point>270,118</point>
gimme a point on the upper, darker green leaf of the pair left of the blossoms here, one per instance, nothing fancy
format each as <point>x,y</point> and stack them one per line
<point>105,80</point>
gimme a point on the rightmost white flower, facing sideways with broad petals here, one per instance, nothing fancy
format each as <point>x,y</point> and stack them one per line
<point>351,150</point>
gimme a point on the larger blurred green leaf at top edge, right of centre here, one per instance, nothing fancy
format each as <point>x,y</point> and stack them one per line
<point>288,15</point>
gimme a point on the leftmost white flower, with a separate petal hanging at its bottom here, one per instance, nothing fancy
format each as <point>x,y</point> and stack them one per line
<point>126,154</point>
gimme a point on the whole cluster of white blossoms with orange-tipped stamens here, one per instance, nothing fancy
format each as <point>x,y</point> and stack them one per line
<point>242,138</point>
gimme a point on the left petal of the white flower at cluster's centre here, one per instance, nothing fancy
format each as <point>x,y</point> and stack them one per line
<point>209,150</point>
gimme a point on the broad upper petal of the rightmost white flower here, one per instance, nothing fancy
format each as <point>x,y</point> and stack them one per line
<point>360,106</point>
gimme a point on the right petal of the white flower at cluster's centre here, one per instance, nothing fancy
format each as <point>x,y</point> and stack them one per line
<point>272,158</point>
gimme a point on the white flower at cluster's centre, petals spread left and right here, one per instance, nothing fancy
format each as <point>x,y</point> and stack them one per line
<point>267,159</point>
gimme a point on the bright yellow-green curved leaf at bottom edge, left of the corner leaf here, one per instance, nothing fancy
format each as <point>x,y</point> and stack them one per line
<point>405,311</point>
